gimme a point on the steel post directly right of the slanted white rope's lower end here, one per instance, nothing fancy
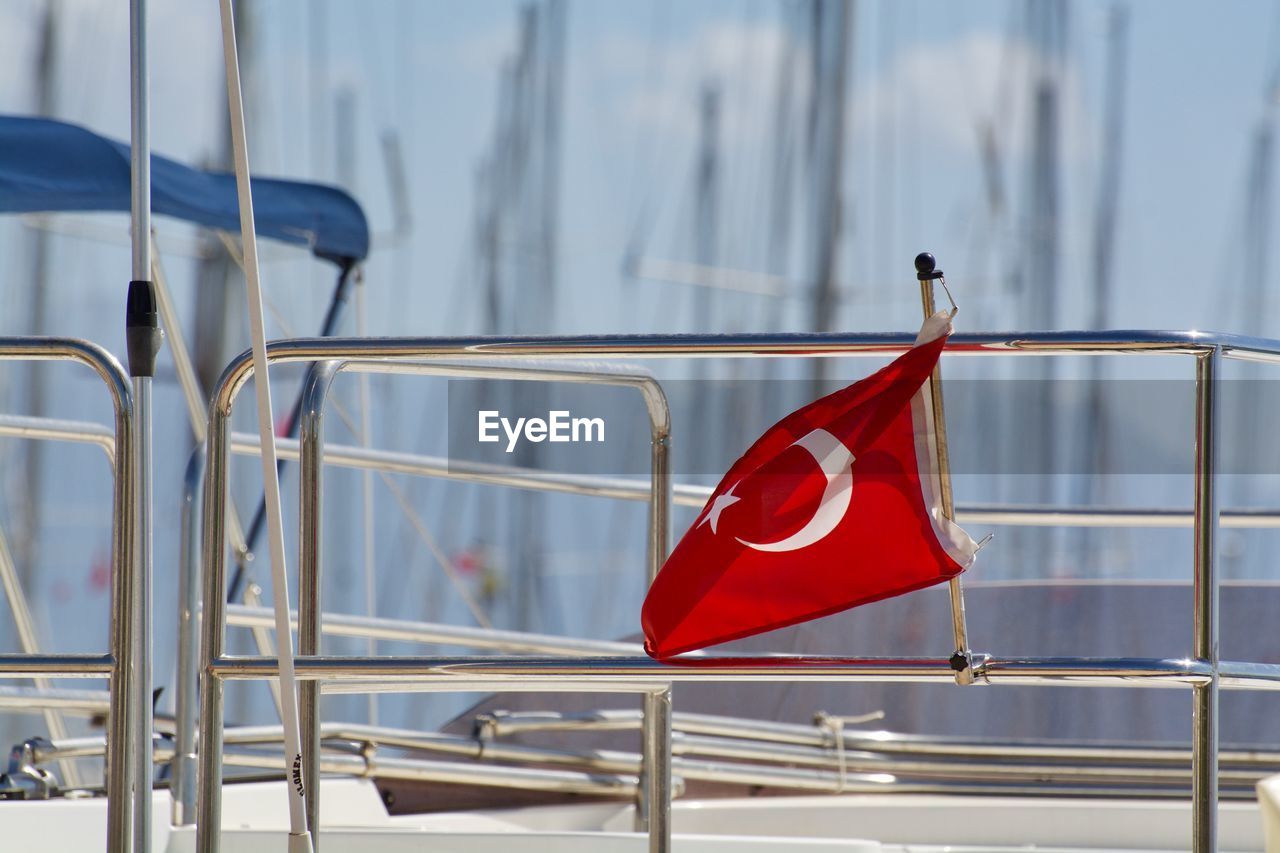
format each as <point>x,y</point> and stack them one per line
<point>310,541</point>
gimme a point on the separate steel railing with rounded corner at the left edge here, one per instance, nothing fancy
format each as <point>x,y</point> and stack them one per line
<point>129,781</point>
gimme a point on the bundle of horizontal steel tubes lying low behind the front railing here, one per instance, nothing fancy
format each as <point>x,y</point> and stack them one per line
<point>856,764</point>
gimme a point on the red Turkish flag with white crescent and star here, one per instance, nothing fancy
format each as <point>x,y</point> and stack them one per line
<point>836,505</point>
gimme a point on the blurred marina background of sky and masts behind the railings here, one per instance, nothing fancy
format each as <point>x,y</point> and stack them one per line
<point>606,167</point>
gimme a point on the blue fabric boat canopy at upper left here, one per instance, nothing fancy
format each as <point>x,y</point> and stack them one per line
<point>49,167</point>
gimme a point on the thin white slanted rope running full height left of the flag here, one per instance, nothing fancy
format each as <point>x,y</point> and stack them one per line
<point>300,841</point>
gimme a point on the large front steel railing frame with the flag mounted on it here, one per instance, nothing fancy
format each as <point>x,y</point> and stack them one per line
<point>1203,672</point>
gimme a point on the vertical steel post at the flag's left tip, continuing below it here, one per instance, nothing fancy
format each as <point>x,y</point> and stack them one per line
<point>653,806</point>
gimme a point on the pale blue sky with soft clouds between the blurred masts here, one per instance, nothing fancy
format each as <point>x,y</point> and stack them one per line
<point>926,76</point>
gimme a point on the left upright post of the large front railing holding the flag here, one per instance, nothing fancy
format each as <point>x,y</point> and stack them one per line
<point>213,631</point>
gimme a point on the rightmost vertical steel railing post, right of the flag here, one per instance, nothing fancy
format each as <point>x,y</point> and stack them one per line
<point>1206,589</point>
